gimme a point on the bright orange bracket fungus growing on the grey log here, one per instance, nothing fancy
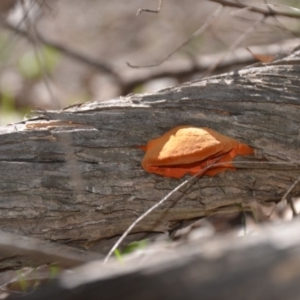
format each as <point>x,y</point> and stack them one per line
<point>188,150</point>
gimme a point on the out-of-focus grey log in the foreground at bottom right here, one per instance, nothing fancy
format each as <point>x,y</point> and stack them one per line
<point>263,267</point>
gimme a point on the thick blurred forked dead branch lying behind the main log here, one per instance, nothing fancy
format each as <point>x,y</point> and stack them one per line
<point>127,79</point>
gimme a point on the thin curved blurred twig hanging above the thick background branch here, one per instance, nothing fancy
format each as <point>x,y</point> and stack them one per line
<point>195,34</point>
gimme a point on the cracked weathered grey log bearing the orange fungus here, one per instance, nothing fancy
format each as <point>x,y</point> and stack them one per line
<point>79,180</point>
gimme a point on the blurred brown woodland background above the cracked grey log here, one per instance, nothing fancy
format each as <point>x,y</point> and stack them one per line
<point>60,52</point>
